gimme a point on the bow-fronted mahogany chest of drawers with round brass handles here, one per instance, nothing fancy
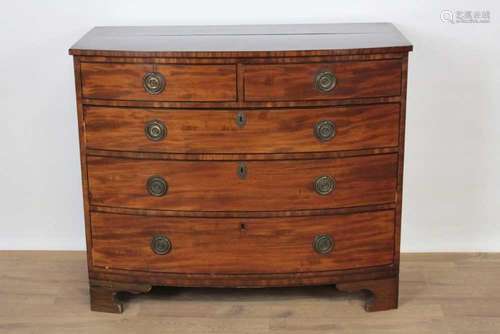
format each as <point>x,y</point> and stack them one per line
<point>242,156</point>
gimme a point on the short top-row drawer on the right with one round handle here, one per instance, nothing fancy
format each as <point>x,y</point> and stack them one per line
<point>322,81</point>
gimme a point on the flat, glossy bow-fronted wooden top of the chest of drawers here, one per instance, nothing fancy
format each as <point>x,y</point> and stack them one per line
<point>220,41</point>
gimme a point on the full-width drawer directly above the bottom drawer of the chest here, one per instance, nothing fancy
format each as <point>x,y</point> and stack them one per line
<point>242,186</point>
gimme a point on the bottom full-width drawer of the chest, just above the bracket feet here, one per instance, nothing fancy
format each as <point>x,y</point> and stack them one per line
<point>240,246</point>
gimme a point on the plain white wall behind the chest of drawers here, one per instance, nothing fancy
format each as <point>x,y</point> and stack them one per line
<point>452,175</point>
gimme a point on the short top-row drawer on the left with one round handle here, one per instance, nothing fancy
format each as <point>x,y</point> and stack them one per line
<point>158,82</point>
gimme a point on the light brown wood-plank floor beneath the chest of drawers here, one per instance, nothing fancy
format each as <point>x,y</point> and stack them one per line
<point>47,292</point>
